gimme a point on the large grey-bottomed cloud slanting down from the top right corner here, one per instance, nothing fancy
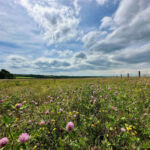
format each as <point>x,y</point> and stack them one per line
<point>128,27</point>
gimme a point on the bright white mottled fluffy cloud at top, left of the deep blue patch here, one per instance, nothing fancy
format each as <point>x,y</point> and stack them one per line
<point>58,22</point>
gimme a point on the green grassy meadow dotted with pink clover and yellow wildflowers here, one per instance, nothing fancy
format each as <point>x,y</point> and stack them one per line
<point>107,113</point>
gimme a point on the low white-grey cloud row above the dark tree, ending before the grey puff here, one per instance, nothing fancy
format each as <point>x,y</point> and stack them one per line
<point>39,65</point>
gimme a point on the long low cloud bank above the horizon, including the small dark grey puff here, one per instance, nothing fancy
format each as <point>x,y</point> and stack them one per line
<point>79,61</point>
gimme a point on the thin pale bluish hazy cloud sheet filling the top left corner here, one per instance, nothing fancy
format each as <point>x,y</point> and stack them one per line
<point>15,27</point>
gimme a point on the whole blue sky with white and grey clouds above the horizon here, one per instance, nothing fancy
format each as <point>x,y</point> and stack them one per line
<point>75,37</point>
